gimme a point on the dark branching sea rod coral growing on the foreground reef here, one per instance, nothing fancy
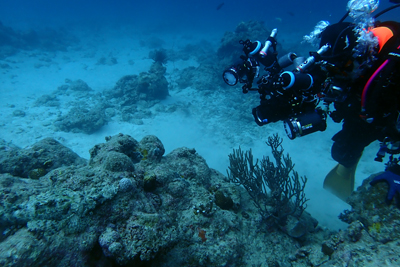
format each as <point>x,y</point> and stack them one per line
<point>276,189</point>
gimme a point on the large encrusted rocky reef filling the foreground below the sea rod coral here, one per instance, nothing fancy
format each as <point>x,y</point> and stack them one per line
<point>131,205</point>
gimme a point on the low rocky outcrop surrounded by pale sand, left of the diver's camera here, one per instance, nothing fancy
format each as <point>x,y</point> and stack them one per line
<point>82,110</point>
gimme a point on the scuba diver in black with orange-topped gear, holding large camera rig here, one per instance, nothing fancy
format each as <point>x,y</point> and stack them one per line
<point>356,68</point>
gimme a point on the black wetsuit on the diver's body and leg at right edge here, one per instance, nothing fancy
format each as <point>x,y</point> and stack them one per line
<point>383,105</point>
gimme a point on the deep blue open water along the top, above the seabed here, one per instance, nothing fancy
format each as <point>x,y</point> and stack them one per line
<point>171,15</point>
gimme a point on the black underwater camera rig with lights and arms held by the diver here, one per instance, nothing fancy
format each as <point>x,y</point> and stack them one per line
<point>285,96</point>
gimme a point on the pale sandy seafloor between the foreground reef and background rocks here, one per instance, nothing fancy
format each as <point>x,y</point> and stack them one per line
<point>34,73</point>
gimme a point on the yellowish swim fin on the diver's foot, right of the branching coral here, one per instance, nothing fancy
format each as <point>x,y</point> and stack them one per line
<point>340,181</point>
